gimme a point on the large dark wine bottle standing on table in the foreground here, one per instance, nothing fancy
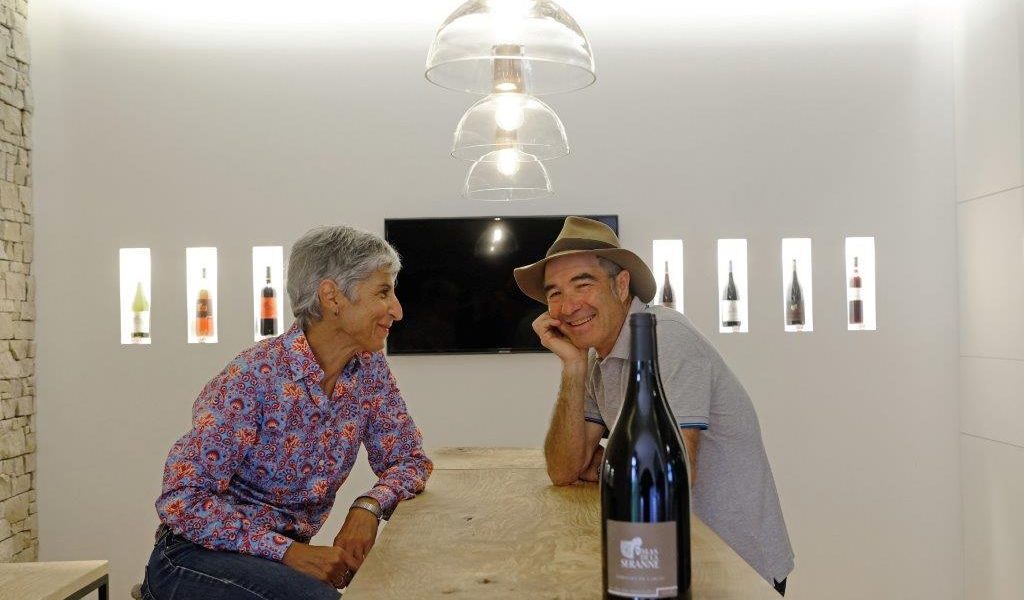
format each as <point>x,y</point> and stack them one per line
<point>646,501</point>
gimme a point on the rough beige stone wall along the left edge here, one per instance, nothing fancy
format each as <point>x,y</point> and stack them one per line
<point>19,526</point>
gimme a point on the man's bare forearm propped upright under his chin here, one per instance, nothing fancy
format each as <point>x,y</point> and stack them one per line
<point>565,448</point>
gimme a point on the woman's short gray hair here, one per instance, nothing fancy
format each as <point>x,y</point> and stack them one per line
<point>342,254</point>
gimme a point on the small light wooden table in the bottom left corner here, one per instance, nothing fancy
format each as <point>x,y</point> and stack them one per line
<point>53,581</point>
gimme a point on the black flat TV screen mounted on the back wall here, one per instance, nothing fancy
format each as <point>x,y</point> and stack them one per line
<point>456,285</point>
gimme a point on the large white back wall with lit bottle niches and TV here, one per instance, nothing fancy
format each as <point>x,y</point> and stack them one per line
<point>807,119</point>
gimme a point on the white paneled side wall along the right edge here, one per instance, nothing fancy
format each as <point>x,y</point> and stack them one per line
<point>989,53</point>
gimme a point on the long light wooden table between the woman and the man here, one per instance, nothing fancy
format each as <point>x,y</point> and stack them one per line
<point>492,526</point>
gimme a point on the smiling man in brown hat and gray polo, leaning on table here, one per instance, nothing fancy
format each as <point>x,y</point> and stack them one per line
<point>591,286</point>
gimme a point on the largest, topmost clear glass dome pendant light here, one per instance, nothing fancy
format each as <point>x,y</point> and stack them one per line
<point>529,47</point>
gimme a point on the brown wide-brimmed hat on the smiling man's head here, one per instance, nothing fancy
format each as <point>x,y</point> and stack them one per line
<point>578,236</point>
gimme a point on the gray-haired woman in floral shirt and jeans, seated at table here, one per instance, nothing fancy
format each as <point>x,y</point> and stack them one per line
<point>277,434</point>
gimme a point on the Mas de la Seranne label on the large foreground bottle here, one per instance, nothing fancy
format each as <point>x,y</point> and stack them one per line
<point>642,560</point>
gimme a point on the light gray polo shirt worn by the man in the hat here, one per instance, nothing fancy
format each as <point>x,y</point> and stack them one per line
<point>735,493</point>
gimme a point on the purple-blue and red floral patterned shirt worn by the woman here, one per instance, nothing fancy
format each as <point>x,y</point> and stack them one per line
<point>269,449</point>
